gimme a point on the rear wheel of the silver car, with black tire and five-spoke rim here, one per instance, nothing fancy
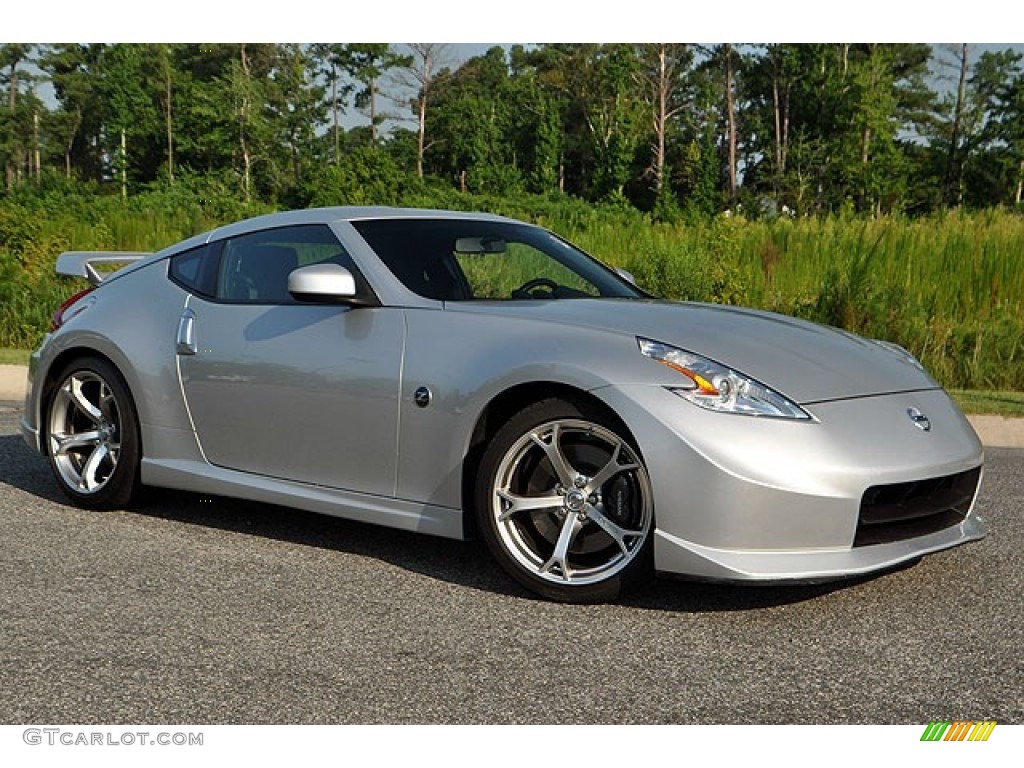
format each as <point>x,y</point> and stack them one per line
<point>93,436</point>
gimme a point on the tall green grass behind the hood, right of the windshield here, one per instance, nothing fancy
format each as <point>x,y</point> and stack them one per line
<point>949,288</point>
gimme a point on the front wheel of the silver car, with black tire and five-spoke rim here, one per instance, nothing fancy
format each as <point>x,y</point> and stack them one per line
<point>565,503</point>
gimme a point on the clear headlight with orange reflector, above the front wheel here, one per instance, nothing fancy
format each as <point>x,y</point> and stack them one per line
<point>716,388</point>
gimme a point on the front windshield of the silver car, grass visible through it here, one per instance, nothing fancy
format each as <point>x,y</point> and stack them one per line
<point>478,261</point>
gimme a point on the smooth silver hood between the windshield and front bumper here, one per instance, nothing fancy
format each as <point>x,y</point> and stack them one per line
<point>806,362</point>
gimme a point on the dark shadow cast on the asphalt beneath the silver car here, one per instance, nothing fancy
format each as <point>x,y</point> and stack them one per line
<point>461,564</point>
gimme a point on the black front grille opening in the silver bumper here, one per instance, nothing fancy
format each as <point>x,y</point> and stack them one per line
<point>908,510</point>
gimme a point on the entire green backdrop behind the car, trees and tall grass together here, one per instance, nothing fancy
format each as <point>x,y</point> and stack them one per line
<point>874,187</point>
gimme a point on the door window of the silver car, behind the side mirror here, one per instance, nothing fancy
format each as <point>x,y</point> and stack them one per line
<point>254,268</point>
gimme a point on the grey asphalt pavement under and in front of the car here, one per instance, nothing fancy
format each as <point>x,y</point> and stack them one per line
<point>191,610</point>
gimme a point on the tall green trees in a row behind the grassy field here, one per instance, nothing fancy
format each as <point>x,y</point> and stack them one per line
<point>815,129</point>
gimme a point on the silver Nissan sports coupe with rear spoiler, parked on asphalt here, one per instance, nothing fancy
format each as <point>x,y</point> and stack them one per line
<point>471,375</point>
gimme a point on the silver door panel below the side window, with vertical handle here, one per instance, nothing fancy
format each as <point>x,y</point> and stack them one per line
<point>301,393</point>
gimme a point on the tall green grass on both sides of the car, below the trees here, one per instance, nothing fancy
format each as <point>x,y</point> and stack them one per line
<point>950,288</point>
